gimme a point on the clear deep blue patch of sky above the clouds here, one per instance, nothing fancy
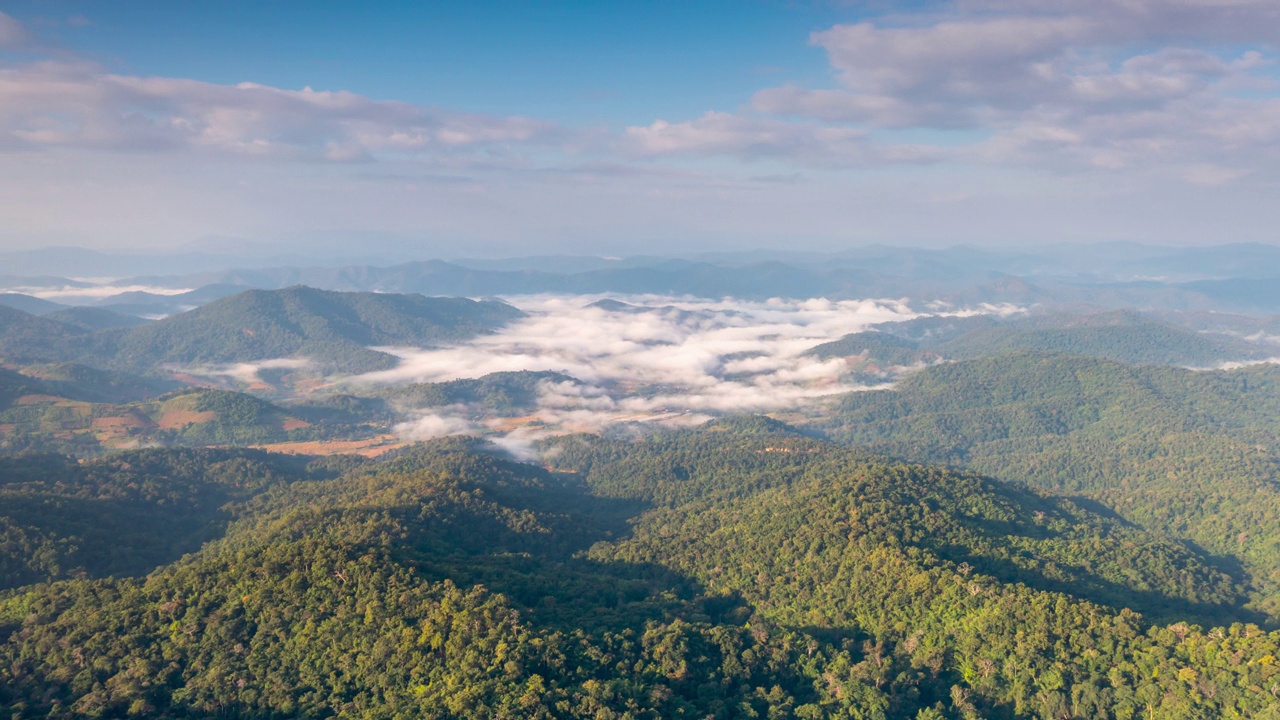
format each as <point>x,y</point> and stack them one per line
<point>573,62</point>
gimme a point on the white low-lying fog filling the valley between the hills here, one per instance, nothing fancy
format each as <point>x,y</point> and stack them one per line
<point>675,362</point>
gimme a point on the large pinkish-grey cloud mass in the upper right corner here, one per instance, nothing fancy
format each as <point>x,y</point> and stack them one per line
<point>1060,85</point>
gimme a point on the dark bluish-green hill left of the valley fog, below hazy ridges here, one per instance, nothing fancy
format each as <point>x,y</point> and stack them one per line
<point>336,330</point>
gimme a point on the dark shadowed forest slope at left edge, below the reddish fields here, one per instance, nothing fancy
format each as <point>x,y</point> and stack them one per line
<point>122,516</point>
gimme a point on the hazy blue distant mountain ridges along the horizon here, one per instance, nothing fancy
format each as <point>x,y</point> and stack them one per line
<point>1232,279</point>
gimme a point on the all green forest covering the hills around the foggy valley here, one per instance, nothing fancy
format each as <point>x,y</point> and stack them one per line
<point>1046,521</point>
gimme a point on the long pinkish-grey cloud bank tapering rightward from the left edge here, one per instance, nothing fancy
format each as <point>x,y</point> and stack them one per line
<point>79,106</point>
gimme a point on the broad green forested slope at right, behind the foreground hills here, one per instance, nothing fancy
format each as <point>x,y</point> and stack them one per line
<point>1190,454</point>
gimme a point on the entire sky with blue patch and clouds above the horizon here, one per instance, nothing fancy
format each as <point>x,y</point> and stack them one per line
<point>492,129</point>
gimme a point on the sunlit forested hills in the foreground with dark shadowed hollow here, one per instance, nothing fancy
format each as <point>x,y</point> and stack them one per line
<point>740,571</point>
